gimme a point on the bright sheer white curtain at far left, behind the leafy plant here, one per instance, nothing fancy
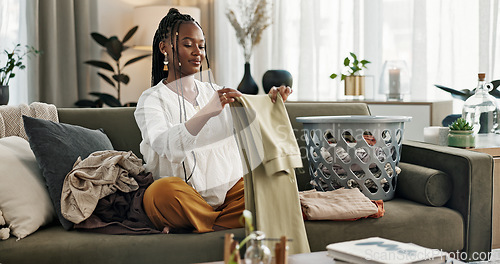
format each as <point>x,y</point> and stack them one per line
<point>12,31</point>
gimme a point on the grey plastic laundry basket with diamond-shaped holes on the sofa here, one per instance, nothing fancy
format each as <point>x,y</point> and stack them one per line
<point>354,152</point>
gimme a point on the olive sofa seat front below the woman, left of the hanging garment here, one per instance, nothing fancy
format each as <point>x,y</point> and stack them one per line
<point>55,245</point>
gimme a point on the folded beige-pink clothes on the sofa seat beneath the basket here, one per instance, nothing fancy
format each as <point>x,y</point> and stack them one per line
<point>338,204</point>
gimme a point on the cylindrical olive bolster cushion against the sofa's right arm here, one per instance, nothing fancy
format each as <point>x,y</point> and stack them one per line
<point>424,185</point>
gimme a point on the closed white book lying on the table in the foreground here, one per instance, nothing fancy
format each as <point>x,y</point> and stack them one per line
<point>375,250</point>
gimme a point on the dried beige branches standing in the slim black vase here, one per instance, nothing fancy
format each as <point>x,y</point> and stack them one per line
<point>249,19</point>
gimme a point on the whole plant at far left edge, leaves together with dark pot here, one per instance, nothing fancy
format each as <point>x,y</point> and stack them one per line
<point>14,61</point>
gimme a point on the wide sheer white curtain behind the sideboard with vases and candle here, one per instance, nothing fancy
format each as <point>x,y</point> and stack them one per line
<point>443,42</point>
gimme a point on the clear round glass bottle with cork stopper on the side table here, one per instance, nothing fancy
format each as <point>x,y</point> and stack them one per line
<point>481,109</point>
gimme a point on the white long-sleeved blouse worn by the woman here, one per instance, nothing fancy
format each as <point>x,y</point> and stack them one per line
<point>212,157</point>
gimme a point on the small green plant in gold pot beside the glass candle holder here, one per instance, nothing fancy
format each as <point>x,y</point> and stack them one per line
<point>354,81</point>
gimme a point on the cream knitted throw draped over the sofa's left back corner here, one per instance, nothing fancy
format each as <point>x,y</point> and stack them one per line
<point>11,117</point>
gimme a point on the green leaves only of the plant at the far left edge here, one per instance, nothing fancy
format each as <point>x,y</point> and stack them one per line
<point>15,60</point>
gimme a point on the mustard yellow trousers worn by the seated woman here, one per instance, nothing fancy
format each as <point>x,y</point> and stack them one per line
<point>170,202</point>
